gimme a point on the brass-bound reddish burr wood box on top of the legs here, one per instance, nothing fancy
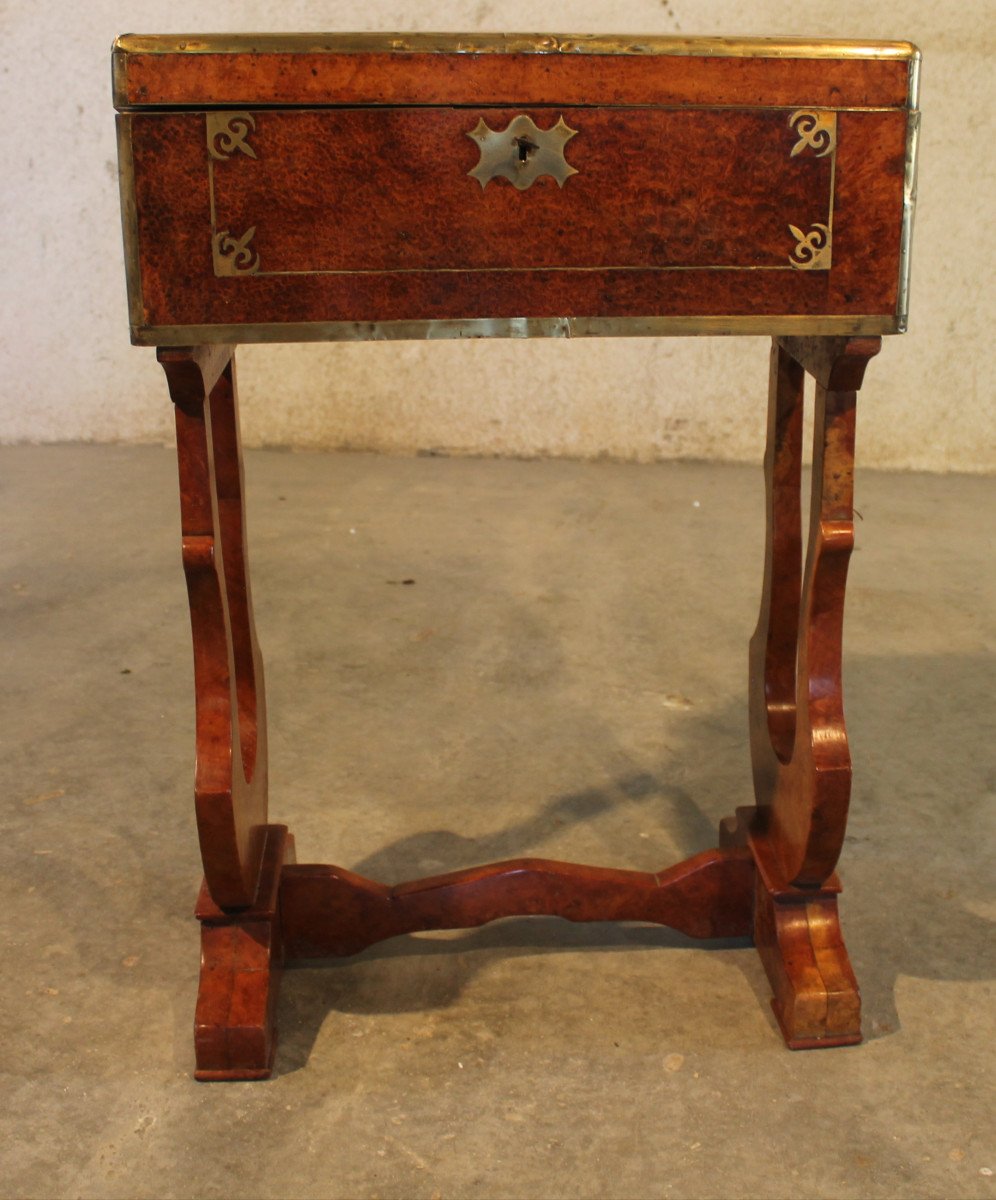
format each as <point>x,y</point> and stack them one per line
<point>315,188</point>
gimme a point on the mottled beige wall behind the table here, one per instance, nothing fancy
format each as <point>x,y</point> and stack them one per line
<point>68,371</point>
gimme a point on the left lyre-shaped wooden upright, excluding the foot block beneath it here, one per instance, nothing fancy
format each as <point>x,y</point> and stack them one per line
<point>231,781</point>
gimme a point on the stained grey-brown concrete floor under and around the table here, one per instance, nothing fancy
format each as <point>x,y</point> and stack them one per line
<point>566,677</point>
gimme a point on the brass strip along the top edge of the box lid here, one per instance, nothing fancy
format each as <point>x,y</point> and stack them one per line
<point>511,44</point>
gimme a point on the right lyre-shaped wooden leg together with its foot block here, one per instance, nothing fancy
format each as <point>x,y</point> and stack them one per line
<point>802,765</point>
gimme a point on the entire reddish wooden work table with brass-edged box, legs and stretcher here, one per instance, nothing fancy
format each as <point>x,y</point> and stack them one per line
<point>383,187</point>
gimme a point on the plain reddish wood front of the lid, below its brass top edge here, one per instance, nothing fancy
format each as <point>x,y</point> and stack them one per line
<point>193,81</point>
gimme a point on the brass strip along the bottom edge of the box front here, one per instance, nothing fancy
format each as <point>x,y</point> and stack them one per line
<point>515,328</point>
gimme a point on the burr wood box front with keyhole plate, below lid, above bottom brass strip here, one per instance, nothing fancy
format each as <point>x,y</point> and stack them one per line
<point>268,217</point>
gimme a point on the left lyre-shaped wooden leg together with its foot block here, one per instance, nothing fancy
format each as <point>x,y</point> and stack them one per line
<point>235,1027</point>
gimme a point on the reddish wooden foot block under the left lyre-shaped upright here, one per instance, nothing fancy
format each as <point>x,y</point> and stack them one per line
<point>241,965</point>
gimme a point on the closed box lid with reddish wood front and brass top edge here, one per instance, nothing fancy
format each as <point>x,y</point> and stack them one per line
<point>316,70</point>
